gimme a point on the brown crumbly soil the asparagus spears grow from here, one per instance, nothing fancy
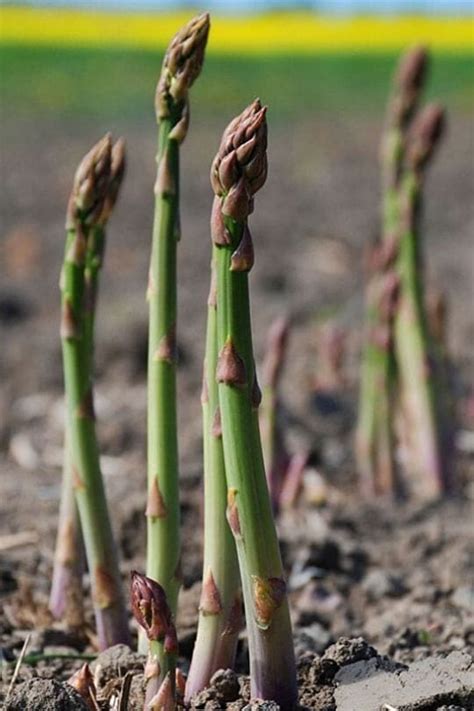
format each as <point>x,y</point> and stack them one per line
<point>375,589</point>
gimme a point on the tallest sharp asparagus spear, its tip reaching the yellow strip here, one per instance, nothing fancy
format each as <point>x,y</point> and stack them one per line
<point>181,66</point>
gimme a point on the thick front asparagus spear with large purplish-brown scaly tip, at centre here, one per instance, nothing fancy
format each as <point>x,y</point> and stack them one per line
<point>239,170</point>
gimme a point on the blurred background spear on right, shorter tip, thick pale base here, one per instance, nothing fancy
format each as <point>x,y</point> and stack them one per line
<point>413,351</point>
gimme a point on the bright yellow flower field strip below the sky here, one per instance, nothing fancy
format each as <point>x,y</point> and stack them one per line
<point>302,33</point>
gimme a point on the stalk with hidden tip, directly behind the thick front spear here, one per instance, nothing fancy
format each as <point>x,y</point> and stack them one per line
<point>220,607</point>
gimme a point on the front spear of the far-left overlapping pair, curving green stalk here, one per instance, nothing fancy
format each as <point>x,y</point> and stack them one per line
<point>85,207</point>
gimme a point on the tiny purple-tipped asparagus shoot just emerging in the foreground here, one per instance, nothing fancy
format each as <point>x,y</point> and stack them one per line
<point>152,612</point>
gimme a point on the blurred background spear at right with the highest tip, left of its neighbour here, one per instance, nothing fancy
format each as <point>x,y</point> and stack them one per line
<point>375,429</point>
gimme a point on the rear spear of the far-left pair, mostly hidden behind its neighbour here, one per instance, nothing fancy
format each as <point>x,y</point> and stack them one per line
<point>66,591</point>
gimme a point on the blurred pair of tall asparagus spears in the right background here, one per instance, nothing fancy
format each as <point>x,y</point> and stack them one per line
<point>395,372</point>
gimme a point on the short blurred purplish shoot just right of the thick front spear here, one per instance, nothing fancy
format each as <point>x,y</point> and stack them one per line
<point>275,456</point>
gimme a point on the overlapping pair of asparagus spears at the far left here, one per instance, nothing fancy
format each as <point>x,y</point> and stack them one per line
<point>94,192</point>
